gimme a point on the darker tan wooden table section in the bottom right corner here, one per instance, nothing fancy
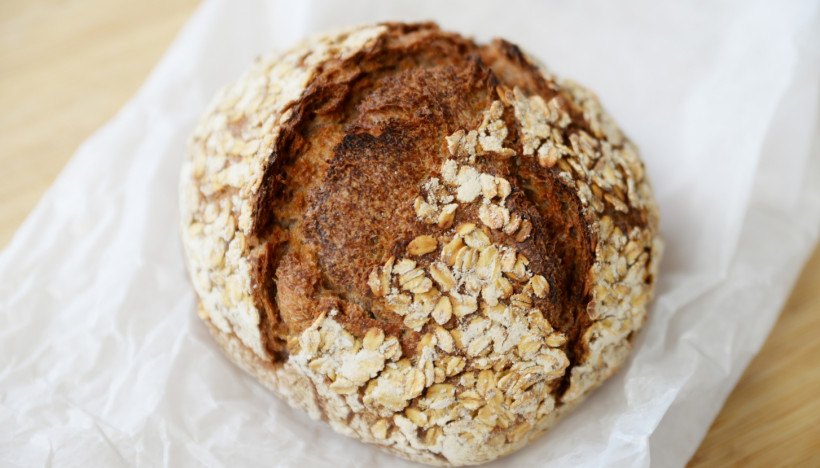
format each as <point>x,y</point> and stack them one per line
<point>772,417</point>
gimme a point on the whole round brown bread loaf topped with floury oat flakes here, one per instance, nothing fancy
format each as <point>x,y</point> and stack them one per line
<point>433,245</point>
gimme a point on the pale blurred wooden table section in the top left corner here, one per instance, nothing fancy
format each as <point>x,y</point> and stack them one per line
<point>65,68</point>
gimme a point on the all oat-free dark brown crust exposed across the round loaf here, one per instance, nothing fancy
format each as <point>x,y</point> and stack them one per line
<point>368,131</point>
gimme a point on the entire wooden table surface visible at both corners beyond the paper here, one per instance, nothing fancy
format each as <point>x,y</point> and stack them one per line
<point>66,66</point>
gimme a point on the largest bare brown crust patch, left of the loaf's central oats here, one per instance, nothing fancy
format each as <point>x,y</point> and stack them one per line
<point>355,130</point>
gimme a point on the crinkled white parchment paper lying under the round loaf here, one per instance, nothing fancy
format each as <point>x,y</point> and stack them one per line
<point>104,363</point>
